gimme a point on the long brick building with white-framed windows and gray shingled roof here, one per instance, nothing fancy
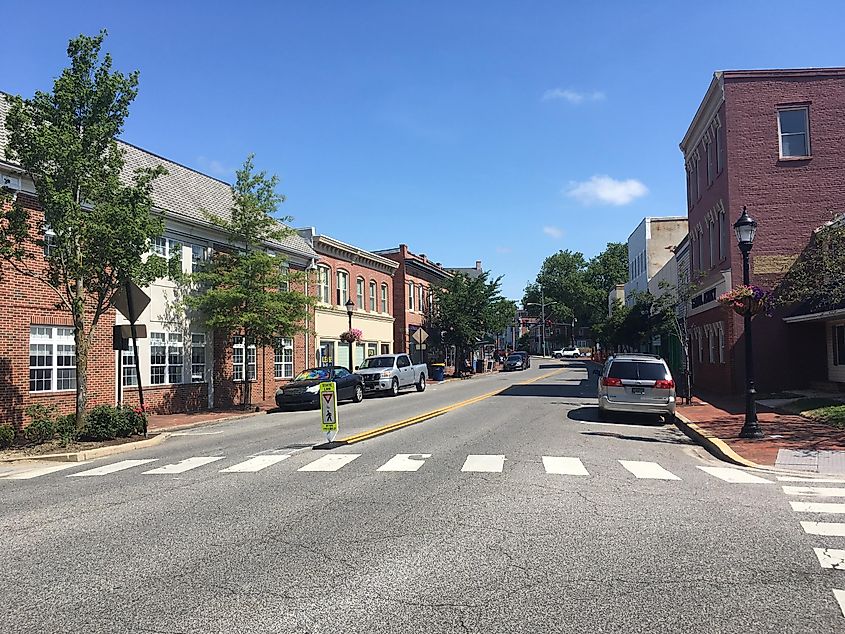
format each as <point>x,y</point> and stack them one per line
<point>183,366</point>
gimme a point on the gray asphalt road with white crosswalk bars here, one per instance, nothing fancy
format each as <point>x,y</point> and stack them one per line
<point>473,532</point>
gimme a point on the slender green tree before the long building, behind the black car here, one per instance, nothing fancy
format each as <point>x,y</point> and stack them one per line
<point>245,289</point>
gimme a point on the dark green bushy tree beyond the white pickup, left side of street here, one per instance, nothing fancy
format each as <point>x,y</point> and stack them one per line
<point>462,308</point>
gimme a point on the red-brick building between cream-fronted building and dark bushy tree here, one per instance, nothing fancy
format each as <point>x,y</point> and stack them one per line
<point>411,295</point>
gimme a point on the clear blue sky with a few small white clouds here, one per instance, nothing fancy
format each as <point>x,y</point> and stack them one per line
<point>499,131</point>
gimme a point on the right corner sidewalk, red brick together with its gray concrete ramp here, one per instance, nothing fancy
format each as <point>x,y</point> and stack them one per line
<point>790,442</point>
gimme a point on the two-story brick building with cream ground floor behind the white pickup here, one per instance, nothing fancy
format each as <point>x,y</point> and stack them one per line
<point>344,271</point>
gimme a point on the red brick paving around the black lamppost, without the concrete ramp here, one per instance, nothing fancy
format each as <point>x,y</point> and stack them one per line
<point>723,418</point>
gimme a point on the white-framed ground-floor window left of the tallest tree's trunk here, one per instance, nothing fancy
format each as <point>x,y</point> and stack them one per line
<point>52,359</point>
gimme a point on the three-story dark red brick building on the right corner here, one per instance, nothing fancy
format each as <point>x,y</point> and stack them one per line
<point>773,140</point>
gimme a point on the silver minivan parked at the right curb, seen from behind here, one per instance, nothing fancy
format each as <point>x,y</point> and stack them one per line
<point>636,384</point>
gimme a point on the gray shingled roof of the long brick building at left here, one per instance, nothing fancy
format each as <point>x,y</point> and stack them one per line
<point>182,191</point>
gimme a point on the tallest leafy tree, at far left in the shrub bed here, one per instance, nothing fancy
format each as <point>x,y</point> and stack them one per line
<point>100,226</point>
